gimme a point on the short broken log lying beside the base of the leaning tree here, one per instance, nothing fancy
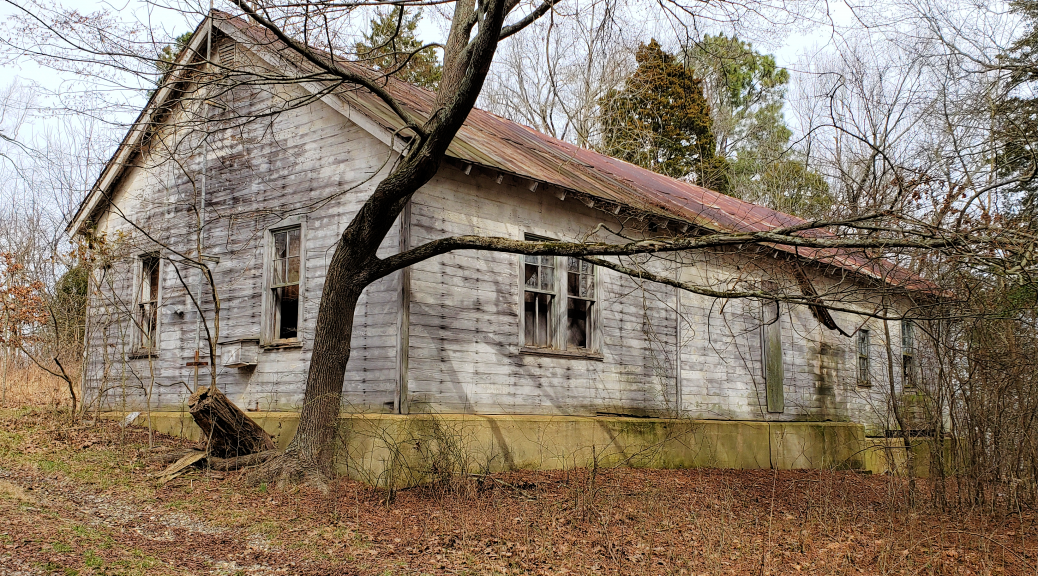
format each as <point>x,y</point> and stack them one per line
<point>229,432</point>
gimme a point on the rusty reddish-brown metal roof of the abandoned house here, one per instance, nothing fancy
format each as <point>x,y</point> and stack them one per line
<point>497,144</point>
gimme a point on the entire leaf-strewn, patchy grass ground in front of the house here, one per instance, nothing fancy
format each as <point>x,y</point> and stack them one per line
<point>87,501</point>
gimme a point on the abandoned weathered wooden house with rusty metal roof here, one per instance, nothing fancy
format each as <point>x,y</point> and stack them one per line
<point>262,180</point>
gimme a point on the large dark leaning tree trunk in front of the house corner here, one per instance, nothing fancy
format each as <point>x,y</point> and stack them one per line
<point>354,263</point>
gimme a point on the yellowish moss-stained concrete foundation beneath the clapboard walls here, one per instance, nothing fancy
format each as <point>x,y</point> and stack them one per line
<point>389,450</point>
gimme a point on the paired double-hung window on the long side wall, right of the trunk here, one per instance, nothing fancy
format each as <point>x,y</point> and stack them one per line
<point>558,343</point>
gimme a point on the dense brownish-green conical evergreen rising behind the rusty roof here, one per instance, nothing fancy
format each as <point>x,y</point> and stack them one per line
<point>661,121</point>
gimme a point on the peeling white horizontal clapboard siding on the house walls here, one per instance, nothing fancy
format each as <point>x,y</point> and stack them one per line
<point>660,354</point>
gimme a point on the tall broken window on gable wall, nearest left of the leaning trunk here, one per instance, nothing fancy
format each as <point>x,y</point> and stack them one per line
<point>286,271</point>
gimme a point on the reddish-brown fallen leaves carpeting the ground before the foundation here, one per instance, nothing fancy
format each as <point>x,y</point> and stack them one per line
<point>617,523</point>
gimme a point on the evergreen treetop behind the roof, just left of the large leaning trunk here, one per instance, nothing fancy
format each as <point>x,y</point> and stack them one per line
<point>391,46</point>
